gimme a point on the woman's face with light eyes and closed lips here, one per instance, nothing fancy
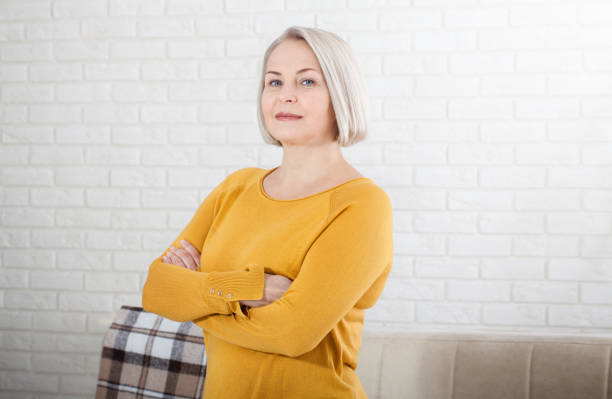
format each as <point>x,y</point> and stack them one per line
<point>293,83</point>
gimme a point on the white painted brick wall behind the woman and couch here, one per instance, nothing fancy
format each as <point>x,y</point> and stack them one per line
<point>491,131</point>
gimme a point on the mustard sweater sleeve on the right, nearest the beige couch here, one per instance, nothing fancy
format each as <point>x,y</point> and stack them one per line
<point>353,252</point>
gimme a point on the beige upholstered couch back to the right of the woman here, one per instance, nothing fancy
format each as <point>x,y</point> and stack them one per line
<point>419,365</point>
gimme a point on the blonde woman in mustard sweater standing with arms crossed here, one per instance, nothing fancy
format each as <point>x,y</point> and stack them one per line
<point>279,265</point>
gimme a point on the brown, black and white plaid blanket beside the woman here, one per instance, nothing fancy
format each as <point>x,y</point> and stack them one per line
<point>145,355</point>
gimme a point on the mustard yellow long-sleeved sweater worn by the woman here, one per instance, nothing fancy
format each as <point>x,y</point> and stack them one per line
<point>336,245</point>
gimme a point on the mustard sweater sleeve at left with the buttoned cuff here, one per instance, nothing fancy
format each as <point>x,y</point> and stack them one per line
<point>181,294</point>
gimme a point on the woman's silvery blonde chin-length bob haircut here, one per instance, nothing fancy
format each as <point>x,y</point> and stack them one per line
<point>342,76</point>
